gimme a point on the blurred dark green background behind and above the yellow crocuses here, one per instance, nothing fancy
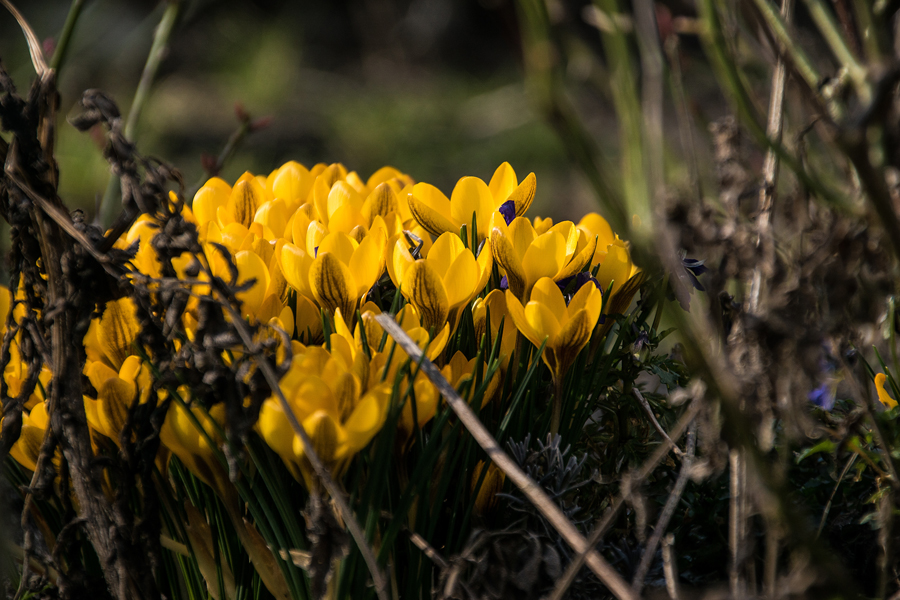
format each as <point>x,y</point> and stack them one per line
<point>432,87</point>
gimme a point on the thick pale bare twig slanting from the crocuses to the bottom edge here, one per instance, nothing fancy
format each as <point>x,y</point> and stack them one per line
<point>529,488</point>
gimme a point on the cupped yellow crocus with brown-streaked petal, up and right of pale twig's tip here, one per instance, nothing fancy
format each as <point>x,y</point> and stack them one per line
<point>443,282</point>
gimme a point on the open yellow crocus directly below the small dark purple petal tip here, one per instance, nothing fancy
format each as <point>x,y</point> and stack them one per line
<point>561,252</point>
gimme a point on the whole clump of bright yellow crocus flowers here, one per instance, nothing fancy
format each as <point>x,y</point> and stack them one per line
<point>318,251</point>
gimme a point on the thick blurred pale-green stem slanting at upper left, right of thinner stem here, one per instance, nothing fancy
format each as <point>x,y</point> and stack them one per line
<point>163,32</point>
